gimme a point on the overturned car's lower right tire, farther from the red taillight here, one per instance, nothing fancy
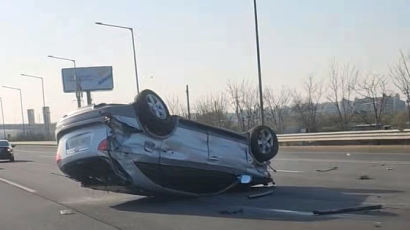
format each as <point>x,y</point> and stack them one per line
<point>264,143</point>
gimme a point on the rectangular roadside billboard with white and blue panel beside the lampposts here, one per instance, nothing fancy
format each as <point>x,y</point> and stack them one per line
<point>90,78</point>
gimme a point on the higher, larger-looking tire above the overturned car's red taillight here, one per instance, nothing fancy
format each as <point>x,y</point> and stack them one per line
<point>153,113</point>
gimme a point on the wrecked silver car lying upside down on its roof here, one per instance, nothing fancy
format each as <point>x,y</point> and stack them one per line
<point>139,148</point>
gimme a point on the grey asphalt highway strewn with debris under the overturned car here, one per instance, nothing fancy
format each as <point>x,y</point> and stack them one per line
<point>33,192</point>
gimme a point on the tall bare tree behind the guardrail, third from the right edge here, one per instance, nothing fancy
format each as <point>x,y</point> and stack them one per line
<point>342,82</point>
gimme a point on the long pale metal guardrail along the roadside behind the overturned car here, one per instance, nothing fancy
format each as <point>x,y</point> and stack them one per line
<point>372,135</point>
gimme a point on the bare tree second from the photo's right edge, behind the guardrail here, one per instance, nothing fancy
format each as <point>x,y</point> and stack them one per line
<point>374,90</point>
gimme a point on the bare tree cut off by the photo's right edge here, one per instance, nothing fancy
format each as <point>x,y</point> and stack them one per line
<point>401,78</point>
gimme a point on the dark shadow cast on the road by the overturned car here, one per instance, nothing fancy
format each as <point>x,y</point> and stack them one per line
<point>286,203</point>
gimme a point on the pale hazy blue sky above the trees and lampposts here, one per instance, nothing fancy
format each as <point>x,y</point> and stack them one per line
<point>203,43</point>
